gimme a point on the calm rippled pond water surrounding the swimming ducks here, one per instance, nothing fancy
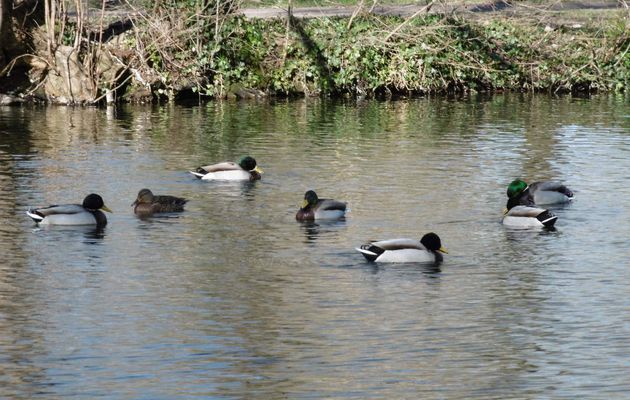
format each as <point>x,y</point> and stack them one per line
<point>235,299</point>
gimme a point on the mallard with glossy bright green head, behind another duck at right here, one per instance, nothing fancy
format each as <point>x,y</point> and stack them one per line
<point>544,192</point>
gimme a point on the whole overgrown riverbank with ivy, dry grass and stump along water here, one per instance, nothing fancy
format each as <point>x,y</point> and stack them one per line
<point>370,52</point>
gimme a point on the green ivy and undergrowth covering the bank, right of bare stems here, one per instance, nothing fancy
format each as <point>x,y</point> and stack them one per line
<point>381,56</point>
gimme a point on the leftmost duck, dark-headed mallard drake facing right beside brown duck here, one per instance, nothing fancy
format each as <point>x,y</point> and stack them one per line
<point>88,213</point>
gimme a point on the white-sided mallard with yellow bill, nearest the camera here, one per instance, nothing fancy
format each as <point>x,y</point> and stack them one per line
<point>427,250</point>
